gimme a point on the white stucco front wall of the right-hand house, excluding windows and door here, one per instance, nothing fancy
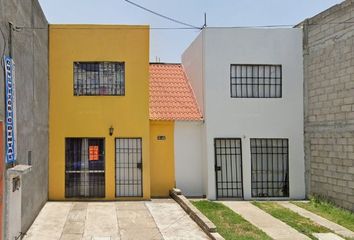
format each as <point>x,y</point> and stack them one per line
<point>254,117</point>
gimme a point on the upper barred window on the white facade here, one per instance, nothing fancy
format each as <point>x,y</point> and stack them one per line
<point>256,81</point>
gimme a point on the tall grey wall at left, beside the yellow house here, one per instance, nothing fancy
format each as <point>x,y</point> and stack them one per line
<point>30,53</point>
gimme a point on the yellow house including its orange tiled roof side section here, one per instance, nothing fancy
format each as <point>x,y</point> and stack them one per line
<point>112,114</point>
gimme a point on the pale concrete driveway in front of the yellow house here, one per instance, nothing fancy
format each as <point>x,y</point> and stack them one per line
<point>156,219</point>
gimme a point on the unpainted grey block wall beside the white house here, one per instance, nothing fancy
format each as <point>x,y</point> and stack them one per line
<point>329,104</point>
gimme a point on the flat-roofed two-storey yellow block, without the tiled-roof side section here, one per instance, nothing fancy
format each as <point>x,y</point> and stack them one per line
<point>99,112</point>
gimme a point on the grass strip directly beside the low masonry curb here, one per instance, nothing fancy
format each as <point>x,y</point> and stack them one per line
<point>229,224</point>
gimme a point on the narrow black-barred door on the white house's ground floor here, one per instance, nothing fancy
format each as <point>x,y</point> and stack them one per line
<point>228,167</point>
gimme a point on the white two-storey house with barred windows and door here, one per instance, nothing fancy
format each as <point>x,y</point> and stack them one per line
<point>249,86</point>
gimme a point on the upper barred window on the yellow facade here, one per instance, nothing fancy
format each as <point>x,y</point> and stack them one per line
<point>99,79</point>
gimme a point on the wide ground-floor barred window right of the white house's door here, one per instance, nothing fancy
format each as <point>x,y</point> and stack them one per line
<point>270,167</point>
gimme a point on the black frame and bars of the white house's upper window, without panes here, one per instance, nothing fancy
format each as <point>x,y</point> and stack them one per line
<point>233,94</point>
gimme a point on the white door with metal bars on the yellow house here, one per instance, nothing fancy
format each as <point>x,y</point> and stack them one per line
<point>129,179</point>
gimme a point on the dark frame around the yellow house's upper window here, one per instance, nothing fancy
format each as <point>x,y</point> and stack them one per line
<point>121,85</point>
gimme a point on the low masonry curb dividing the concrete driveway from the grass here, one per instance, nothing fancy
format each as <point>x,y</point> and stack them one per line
<point>204,223</point>
